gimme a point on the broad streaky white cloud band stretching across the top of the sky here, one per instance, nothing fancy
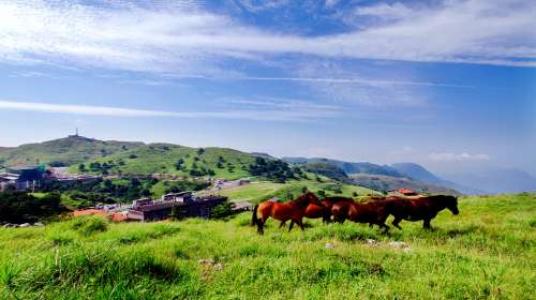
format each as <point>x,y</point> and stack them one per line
<point>184,38</point>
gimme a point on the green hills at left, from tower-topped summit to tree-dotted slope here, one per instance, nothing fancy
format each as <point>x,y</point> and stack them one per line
<point>91,156</point>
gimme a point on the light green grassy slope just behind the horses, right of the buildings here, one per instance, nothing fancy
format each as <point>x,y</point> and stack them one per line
<point>263,190</point>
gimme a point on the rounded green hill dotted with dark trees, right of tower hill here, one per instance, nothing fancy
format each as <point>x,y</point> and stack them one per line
<point>174,160</point>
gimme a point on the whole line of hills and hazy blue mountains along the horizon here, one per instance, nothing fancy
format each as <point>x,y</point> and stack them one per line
<point>137,158</point>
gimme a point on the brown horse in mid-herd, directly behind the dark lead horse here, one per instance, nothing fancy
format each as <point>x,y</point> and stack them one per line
<point>373,212</point>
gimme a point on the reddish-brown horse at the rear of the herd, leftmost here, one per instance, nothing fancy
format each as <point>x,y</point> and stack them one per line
<point>292,210</point>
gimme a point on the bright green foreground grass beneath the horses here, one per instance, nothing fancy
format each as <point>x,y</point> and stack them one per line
<point>487,252</point>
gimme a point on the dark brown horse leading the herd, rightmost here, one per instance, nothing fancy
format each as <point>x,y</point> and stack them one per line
<point>419,208</point>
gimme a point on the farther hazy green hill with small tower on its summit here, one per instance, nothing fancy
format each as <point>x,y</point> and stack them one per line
<point>65,151</point>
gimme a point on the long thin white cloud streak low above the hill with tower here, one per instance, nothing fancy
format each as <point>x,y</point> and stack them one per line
<point>298,114</point>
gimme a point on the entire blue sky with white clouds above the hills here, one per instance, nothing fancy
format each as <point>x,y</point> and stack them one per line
<point>448,84</point>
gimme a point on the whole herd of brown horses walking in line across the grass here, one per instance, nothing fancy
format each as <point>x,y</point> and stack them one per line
<point>374,210</point>
